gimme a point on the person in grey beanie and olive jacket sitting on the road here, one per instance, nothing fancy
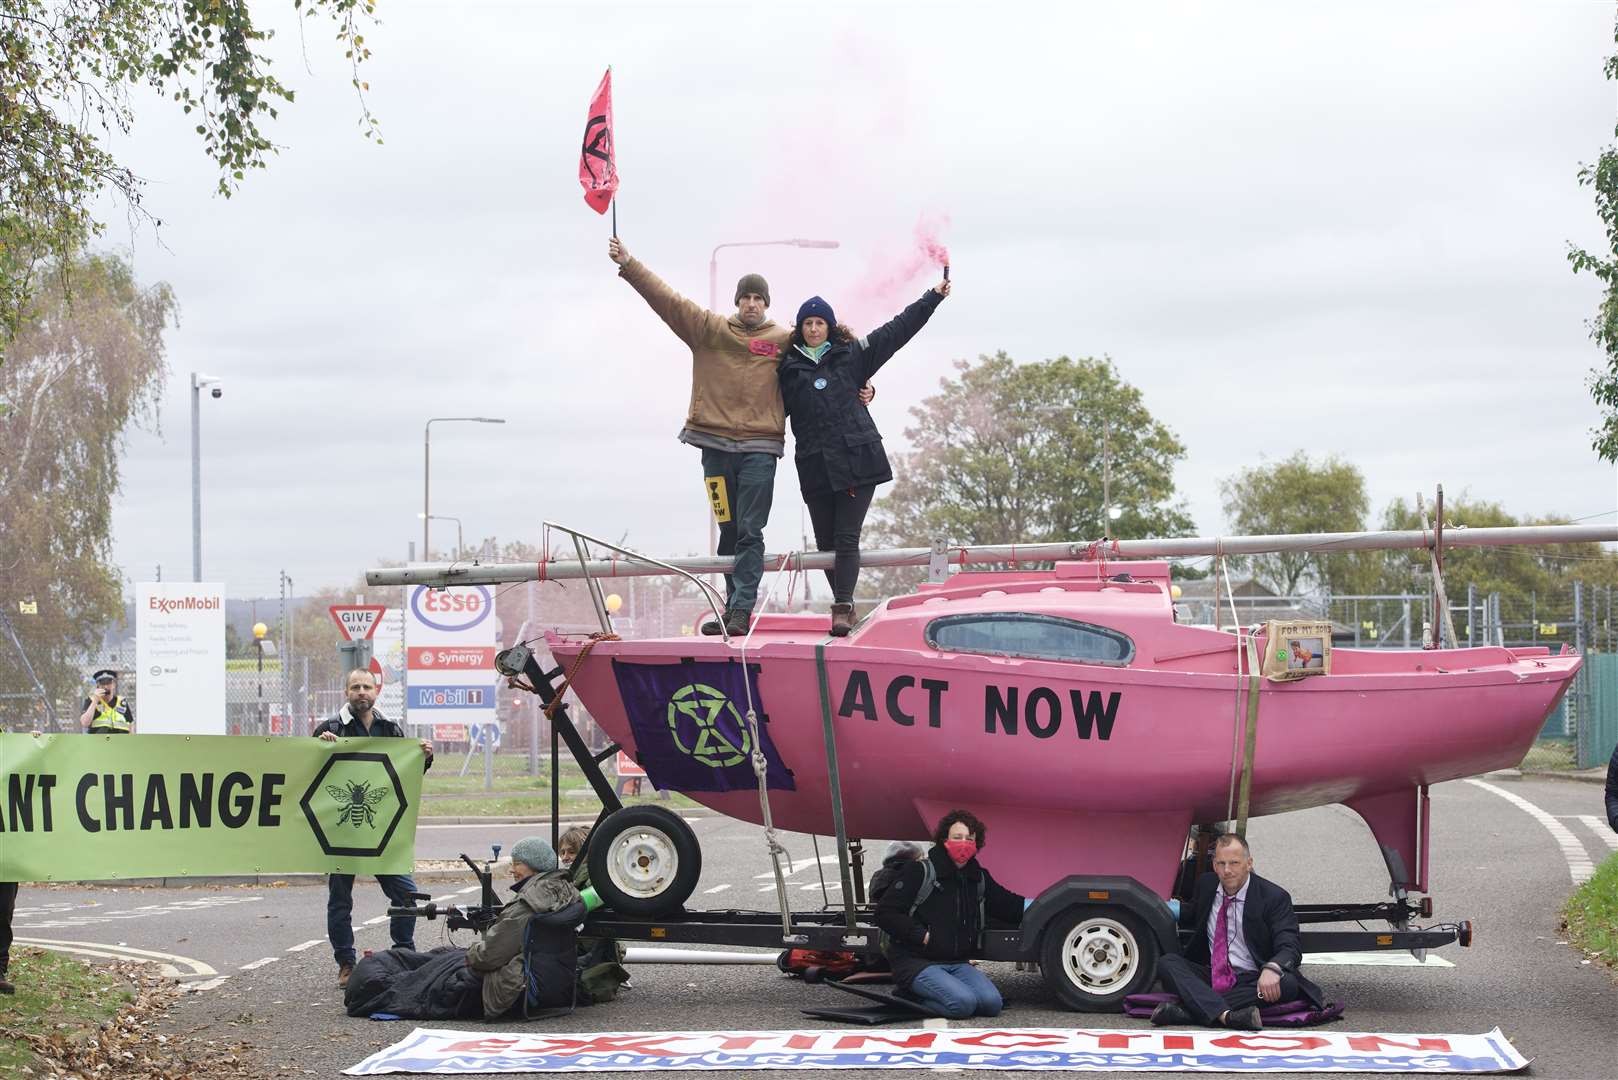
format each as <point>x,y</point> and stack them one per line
<point>541,888</point>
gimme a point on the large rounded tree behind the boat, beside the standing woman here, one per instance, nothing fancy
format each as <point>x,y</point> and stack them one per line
<point>1015,454</point>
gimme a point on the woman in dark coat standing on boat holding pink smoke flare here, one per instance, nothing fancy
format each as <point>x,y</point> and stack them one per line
<point>839,449</point>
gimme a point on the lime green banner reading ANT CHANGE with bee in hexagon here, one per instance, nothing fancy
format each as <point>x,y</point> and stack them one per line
<point>93,807</point>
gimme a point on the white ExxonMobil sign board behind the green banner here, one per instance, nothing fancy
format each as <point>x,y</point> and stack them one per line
<point>180,658</point>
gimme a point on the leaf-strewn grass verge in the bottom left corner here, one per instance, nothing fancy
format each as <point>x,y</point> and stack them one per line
<point>57,998</point>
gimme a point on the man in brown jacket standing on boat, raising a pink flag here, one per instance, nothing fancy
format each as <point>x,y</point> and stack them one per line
<point>735,417</point>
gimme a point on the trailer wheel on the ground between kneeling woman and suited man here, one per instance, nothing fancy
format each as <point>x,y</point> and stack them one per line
<point>1093,958</point>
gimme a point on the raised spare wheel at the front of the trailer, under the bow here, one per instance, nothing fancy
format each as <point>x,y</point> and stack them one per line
<point>645,861</point>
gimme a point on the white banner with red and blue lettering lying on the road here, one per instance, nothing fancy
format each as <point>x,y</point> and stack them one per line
<point>1031,1050</point>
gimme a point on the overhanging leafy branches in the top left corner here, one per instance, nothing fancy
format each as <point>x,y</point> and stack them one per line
<point>66,75</point>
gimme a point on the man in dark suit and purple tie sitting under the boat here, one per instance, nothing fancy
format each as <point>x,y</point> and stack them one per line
<point>1243,948</point>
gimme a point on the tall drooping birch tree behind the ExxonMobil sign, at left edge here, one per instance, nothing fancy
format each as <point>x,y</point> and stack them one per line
<point>78,376</point>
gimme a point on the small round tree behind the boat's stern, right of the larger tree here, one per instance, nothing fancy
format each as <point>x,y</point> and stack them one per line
<point>1300,496</point>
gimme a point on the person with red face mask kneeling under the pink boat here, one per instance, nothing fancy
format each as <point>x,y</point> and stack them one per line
<point>934,917</point>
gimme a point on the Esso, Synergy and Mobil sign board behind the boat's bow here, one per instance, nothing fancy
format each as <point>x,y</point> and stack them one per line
<point>451,655</point>
